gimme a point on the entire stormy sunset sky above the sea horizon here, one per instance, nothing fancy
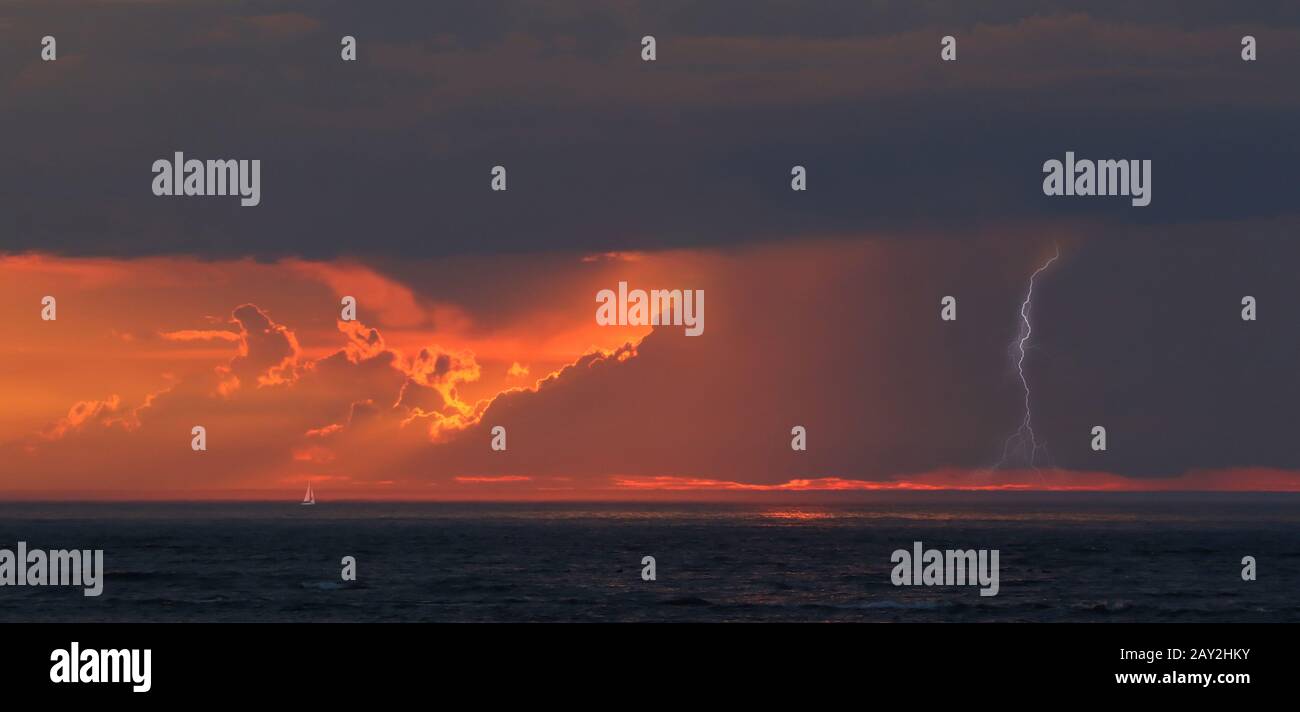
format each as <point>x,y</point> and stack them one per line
<point>476,309</point>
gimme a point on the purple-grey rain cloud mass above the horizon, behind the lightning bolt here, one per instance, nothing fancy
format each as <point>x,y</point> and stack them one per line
<point>1145,340</point>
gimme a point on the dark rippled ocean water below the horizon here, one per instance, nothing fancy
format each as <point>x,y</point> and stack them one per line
<point>1063,558</point>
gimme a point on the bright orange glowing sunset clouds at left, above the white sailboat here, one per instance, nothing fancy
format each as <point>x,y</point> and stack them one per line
<point>280,402</point>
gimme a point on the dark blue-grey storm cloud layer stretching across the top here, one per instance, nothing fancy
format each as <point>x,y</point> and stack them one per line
<point>391,157</point>
